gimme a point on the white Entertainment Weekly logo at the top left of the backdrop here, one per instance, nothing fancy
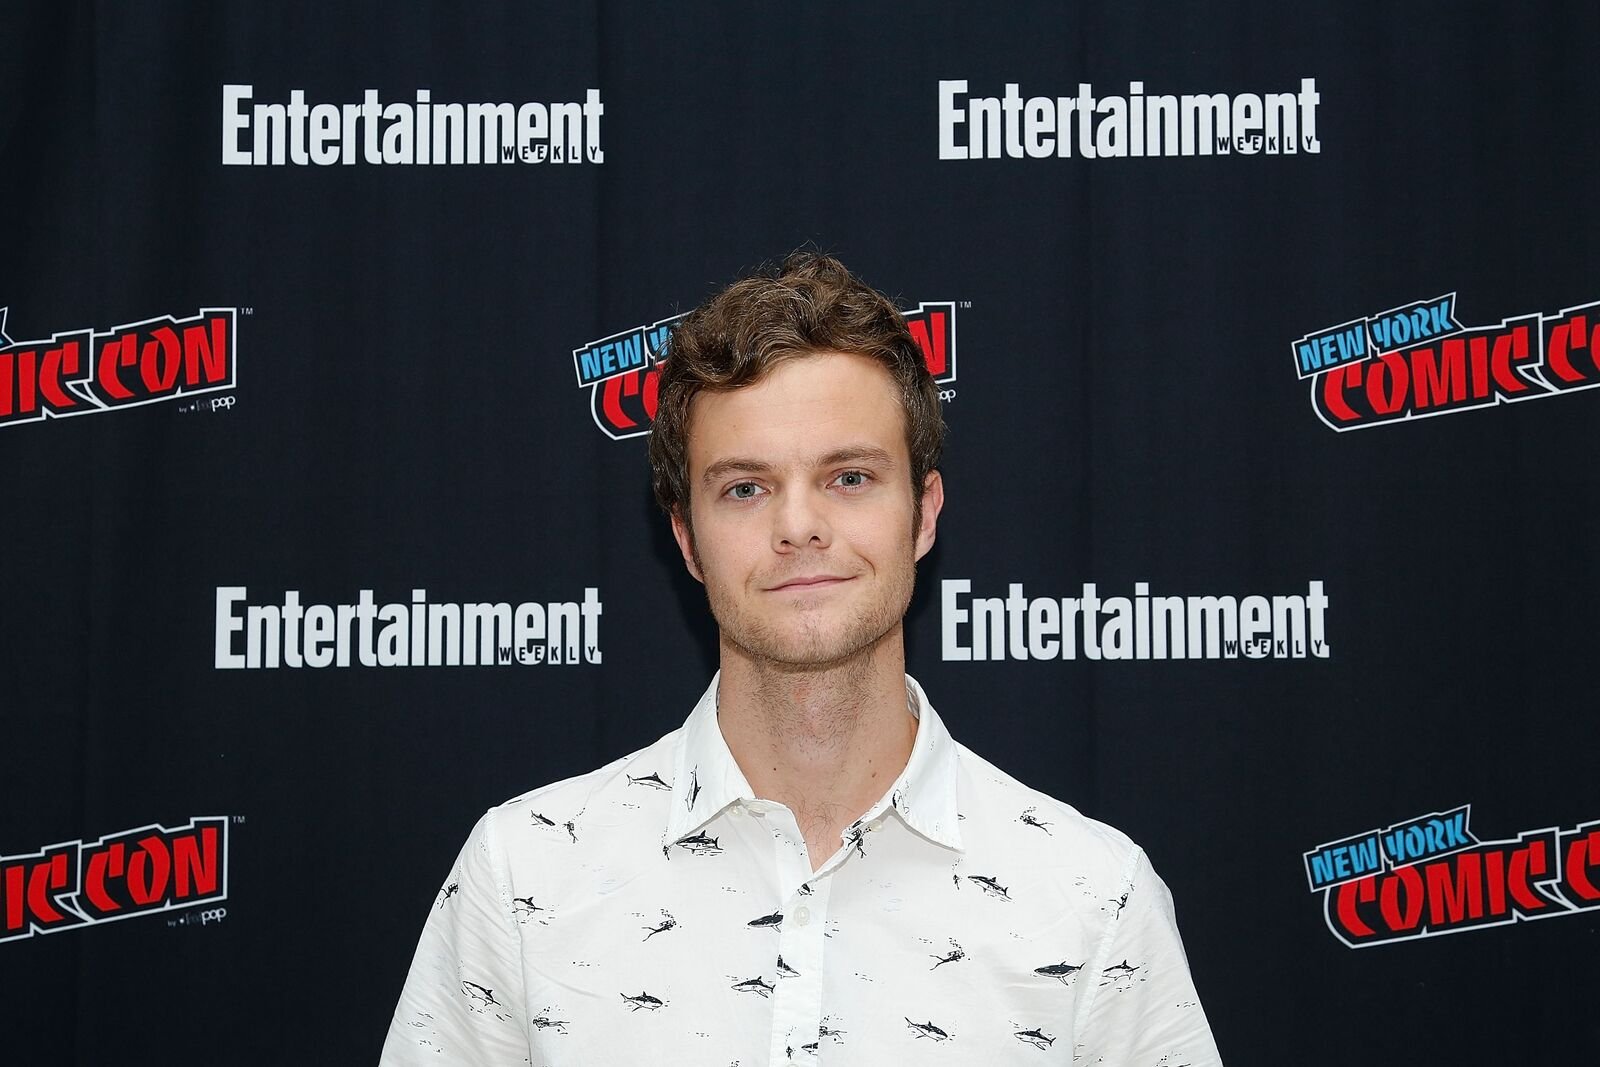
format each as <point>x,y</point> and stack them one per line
<point>407,134</point>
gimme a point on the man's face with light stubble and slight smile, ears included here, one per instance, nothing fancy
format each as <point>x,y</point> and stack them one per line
<point>802,505</point>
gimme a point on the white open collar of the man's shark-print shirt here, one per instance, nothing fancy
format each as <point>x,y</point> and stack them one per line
<point>708,780</point>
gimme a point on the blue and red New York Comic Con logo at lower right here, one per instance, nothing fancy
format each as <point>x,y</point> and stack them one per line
<point>1431,876</point>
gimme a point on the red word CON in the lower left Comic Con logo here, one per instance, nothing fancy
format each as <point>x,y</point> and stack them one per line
<point>154,869</point>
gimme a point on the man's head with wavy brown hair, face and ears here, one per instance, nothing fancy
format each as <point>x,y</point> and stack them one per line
<point>796,446</point>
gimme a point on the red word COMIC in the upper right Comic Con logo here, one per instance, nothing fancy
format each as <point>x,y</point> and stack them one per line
<point>1470,370</point>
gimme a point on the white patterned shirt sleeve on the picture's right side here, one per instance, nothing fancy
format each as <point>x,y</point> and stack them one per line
<point>1142,1005</point>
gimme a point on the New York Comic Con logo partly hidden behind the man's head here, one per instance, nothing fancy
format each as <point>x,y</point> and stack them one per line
<point>620,372</point>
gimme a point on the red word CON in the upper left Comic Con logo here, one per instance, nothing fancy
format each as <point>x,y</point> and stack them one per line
<point>164,358</point>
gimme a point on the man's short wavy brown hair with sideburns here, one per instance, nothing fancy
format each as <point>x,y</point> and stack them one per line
<point>809,303</point>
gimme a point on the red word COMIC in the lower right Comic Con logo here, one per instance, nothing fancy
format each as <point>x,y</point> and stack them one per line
<point>1481,887</point>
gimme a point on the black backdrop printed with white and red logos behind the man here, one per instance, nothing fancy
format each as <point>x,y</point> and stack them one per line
<point>1268,342</point>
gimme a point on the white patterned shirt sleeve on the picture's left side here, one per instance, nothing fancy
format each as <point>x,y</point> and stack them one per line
<point>463,1001</point>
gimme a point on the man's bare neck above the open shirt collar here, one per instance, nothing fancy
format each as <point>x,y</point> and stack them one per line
<point>825,743</point>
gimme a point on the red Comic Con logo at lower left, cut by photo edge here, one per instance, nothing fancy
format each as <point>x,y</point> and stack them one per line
<point>122,876</point>
